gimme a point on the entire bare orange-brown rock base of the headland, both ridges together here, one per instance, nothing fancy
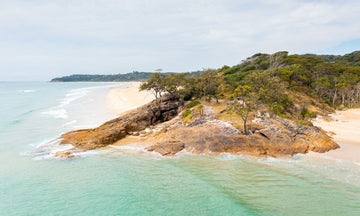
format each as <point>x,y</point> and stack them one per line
<point>204,134</point>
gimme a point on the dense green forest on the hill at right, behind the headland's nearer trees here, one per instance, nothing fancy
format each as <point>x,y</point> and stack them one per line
<point>332,80</point>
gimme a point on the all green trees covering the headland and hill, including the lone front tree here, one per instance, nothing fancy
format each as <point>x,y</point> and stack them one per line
<point>270,81</point>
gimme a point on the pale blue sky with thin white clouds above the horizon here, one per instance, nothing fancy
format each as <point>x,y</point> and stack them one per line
<point>40,40</point>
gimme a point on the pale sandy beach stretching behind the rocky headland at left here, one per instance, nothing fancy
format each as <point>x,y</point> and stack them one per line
<point>124,98</point>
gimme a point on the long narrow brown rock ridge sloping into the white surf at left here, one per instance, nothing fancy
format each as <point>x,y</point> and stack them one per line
<point>137,120</point>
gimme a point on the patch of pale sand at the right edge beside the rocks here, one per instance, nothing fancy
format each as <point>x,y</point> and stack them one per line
<point>346,126</point>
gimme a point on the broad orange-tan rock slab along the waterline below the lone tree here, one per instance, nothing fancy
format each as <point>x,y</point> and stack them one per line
<point>279,138</point>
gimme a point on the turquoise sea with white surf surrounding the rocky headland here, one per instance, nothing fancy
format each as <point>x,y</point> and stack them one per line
<point>133,182</point>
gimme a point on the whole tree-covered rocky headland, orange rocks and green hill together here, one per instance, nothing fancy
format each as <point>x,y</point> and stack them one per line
<point>261,107</point>
